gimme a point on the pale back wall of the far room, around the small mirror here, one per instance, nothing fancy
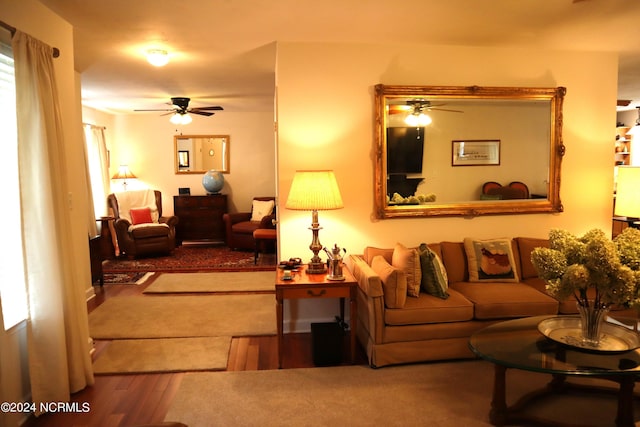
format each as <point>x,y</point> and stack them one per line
<point>145,143</point>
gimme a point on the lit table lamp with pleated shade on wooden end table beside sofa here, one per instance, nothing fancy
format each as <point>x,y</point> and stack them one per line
<point>314,190</point>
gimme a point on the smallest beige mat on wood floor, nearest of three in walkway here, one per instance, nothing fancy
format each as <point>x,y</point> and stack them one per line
<point>163,355</point>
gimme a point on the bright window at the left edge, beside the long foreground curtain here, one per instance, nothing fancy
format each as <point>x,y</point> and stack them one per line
<point>12,275</point>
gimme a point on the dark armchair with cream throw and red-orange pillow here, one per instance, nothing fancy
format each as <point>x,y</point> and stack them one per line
<point>142,230</point>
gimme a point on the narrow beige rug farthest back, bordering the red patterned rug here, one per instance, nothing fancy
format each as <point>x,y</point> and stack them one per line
<point>213,282</point>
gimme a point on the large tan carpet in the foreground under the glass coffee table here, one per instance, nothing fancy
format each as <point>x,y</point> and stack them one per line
<point>450,394</point>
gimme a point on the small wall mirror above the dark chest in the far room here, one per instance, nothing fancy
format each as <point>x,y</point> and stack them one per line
<point>200,153</point>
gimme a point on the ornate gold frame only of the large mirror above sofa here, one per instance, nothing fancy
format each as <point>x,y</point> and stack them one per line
<point>551,204</point>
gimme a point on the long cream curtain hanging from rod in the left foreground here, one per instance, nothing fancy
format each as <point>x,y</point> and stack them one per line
<point>57,328</point>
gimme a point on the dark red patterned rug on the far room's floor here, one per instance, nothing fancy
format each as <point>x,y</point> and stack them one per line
<point>191,259</point>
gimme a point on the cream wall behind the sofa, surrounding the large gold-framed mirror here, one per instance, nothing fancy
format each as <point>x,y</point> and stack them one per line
<point>335,131</point>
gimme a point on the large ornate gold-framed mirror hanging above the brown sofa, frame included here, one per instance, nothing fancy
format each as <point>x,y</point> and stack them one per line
<point>467,150</point>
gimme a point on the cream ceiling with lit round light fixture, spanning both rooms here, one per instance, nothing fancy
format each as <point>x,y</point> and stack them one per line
<point>223,51</point>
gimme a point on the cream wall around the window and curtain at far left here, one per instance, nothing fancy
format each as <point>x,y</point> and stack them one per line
<point>33,18</point>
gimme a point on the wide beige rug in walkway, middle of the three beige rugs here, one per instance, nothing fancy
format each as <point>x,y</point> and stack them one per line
<point>184,316</point>
